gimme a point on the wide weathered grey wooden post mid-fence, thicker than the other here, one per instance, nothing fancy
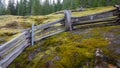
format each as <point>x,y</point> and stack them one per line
<point>68,23</point>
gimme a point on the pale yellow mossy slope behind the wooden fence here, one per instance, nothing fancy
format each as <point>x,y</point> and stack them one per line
<point>11,25</point>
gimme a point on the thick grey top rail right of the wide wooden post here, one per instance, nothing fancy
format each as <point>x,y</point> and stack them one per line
<point>94,16</point>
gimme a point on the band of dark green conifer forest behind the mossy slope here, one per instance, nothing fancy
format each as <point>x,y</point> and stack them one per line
<point>37,7</point>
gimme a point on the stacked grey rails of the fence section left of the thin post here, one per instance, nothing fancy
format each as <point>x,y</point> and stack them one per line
<point>10,50</point>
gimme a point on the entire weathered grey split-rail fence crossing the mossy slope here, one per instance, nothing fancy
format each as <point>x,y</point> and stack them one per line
<point>10,50</point>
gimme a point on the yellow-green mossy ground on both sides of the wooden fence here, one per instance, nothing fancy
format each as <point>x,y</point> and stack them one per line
<point>73,49</point>
